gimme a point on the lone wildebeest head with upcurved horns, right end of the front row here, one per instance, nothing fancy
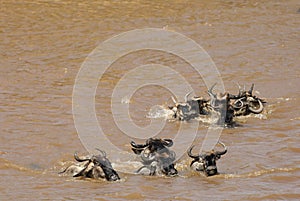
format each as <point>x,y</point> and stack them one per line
<point>206,162</point>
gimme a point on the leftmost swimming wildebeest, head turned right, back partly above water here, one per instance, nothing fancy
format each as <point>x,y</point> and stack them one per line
<point>93,166</point>
